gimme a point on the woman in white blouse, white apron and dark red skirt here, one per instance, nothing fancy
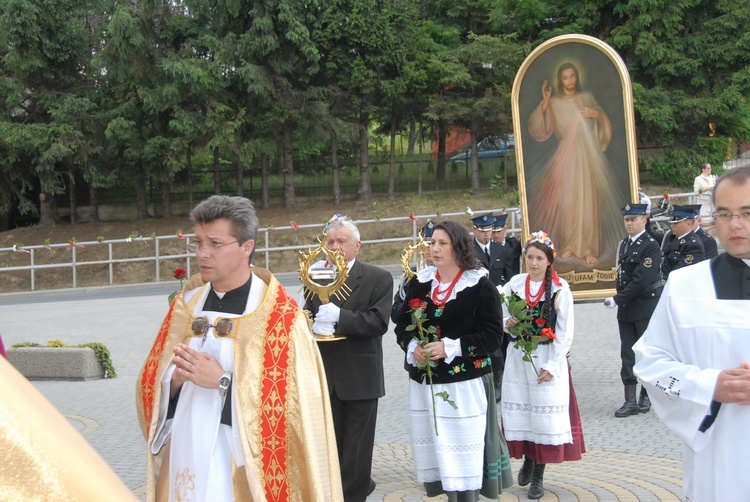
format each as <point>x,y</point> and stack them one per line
<point>540,412</point>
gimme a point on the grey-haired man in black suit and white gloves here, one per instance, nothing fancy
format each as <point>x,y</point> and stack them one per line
<point>354,365</point>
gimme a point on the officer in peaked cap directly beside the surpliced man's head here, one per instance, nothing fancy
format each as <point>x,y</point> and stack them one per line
<point>681,247</point>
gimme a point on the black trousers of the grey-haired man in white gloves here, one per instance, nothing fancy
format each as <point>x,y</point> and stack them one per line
<point>354,423</point>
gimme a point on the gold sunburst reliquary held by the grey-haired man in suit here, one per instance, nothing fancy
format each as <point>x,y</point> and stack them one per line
<point>335,277</point>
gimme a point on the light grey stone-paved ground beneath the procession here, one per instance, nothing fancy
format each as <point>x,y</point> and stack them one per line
<point>634,458</point>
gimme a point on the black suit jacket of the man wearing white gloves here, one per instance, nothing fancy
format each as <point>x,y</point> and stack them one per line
<point>354,366</point>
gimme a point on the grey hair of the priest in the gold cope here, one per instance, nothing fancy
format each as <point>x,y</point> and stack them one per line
<point>239,211</point>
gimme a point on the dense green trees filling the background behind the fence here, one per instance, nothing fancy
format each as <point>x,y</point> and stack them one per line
<point>121,94</point>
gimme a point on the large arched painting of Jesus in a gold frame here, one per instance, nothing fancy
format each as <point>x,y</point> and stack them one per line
<point>576,155</point>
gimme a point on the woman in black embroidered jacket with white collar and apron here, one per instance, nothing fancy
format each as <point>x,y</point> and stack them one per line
<point>456,442</point>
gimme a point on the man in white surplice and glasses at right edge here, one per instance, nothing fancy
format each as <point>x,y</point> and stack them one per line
<point>696,364</point>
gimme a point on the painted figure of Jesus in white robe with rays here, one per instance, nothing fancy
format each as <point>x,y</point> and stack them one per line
<point>588,225</point>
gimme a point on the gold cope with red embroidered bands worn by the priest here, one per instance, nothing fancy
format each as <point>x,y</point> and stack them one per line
<point>278,378</point>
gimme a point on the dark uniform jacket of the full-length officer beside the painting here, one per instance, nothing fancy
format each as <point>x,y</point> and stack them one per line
<point>638,278</point>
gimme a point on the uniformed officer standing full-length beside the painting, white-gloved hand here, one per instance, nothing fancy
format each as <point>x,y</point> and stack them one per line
<point>638,289</point>
